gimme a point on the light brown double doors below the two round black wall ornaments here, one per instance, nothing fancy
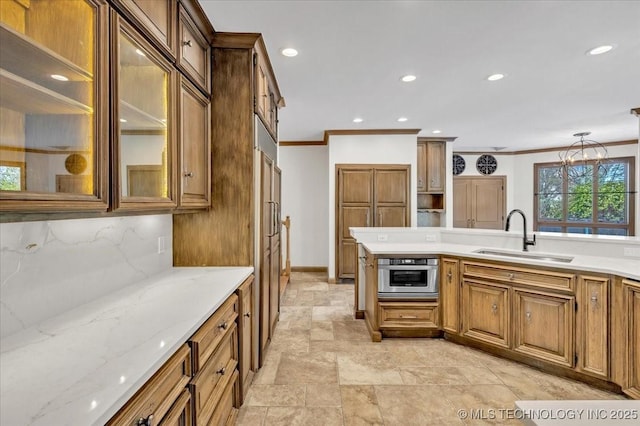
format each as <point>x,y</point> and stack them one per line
<point>478,202</point>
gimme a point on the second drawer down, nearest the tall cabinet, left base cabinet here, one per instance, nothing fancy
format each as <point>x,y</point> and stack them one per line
<point>209,384</point>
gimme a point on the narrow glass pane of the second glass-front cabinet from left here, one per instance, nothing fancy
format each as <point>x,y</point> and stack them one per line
<point>143,154</point>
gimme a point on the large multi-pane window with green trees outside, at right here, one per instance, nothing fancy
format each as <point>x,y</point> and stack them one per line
<point>600,202</point>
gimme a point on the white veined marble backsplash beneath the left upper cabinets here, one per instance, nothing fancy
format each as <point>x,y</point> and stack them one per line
<point>47,268</point>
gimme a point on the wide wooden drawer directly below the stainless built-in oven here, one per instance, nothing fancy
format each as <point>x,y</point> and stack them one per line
<point>408,314</point>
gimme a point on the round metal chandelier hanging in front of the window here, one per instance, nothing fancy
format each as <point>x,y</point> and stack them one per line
<point>582,154</point>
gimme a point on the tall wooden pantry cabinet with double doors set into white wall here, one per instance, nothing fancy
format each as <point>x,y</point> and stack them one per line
<point>368,195</point>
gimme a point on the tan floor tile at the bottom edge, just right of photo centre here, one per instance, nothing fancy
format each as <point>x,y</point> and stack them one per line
<point>360,406</point>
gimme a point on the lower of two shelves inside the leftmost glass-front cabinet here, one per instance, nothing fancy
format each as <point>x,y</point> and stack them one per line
<point>28,97</point>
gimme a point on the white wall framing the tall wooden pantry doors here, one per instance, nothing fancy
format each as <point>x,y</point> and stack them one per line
<point>368,149</point>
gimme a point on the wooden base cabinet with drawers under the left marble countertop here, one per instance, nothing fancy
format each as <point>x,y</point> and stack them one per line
<point>204,381</point>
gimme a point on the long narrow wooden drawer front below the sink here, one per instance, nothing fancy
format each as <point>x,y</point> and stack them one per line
<point>517,275</point>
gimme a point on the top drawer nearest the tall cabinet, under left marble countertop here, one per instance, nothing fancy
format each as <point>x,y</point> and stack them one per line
<point>205,340</point>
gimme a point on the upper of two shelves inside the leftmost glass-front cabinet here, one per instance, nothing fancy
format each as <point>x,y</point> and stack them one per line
<point>35,61</point>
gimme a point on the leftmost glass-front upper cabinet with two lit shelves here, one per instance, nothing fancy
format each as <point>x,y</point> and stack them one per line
<point>53,122</point>
